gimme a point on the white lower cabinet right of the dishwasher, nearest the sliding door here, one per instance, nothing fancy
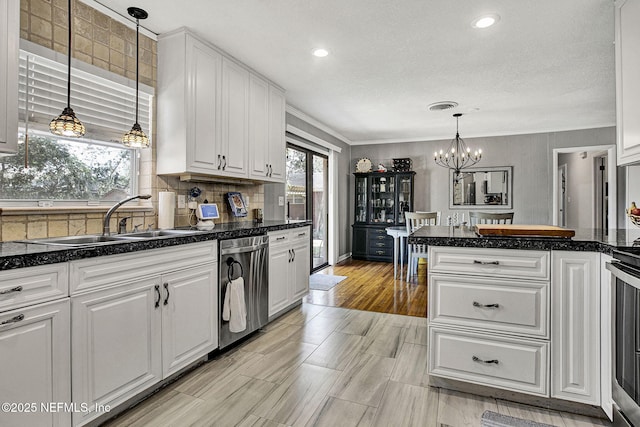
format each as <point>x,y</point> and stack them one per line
<point>289,267</point>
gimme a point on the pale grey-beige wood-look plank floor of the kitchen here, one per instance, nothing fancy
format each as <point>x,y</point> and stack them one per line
<point>326,366</point>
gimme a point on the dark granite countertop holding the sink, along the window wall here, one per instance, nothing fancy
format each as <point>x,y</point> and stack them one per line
<point>18,254</point>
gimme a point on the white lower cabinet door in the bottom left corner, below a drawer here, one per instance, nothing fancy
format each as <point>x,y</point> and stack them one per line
<point>35,366</point>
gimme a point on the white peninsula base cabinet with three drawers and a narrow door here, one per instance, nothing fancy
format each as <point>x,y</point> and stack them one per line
<point>516,318</point>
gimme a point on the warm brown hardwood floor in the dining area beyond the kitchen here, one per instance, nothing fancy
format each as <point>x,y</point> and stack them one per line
<point>370,286</point>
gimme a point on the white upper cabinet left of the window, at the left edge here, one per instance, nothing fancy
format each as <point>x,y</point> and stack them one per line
<point>9,46</point>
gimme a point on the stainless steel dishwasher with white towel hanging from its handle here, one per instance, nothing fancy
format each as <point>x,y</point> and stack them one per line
<point>246,257</point>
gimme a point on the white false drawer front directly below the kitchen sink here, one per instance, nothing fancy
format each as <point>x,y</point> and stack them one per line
<point>100,272</point>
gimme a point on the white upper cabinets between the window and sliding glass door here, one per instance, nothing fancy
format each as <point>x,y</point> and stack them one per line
<point>215,115</point>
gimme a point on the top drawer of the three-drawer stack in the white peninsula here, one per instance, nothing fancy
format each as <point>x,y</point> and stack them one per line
<point>514,263</point>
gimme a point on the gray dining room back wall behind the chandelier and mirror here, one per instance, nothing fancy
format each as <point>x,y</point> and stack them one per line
<point>530,155</point>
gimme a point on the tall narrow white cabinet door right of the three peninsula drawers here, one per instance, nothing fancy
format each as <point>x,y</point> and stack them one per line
<point>575,332</point>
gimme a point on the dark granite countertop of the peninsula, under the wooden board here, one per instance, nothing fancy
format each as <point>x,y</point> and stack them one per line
<point>593,240</point>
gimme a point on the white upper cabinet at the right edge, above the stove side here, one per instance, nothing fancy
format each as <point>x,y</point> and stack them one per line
<point>627,16</point>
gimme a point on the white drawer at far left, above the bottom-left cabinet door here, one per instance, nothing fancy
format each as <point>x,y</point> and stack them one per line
<point>25,286</point>
